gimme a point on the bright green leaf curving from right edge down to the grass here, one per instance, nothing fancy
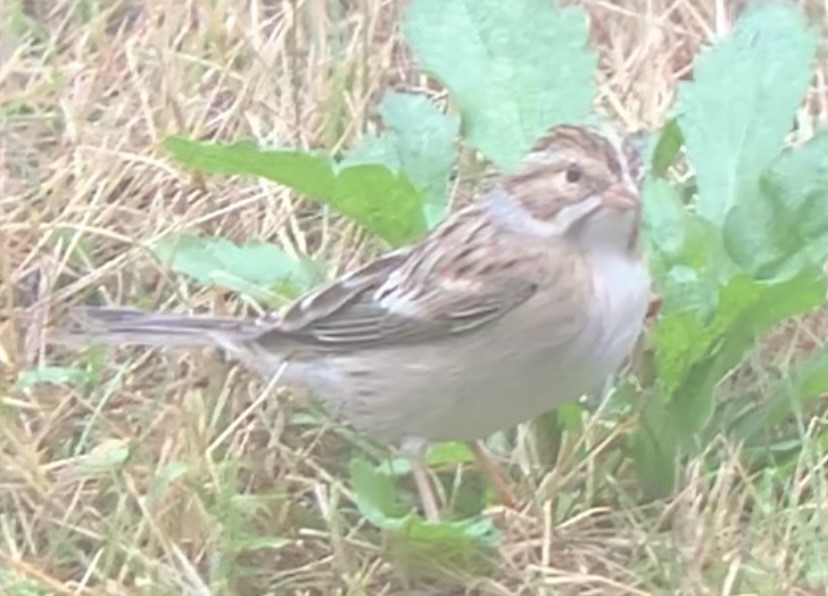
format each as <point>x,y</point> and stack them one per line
<point>694,354</point>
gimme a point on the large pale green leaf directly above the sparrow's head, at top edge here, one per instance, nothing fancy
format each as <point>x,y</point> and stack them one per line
<point>513,68</point>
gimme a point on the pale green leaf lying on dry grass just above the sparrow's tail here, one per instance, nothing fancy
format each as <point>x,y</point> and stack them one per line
<point>248,268</point>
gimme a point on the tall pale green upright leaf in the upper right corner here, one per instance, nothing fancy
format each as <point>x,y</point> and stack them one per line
<point>741,103</point>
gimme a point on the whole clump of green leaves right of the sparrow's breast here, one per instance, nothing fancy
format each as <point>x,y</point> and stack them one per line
<point>739,248</point>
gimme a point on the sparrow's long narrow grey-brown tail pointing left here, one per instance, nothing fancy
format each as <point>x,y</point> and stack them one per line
<point>125,326</point>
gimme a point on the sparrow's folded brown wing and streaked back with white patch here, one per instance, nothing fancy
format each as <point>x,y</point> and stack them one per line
<point>454,282</point>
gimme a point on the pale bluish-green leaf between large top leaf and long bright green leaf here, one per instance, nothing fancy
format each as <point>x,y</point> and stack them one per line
<point>419,142</point>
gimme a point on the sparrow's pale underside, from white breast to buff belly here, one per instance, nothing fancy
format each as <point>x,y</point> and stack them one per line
<point>476,386</point>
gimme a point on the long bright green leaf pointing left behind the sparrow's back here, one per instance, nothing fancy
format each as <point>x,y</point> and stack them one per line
<point>383,201</point>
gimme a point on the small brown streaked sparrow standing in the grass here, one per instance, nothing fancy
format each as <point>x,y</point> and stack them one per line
<point>529,297</point>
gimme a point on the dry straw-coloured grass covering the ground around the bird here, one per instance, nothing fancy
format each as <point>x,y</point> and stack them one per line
<point>155,478</point>
